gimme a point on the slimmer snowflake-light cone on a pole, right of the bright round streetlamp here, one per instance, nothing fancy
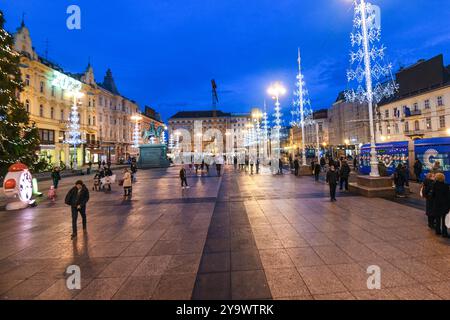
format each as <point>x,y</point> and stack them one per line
<point>302,113</point>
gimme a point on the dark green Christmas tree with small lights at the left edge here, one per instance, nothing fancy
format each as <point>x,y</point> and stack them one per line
<point>18,138</point>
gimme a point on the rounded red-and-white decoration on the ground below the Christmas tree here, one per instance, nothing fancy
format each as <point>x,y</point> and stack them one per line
<point>18,185</point>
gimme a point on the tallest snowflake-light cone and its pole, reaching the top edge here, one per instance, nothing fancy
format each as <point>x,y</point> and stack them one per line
<point>369,68</point>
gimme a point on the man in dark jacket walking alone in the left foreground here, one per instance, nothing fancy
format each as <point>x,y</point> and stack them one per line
<point>77,198</point>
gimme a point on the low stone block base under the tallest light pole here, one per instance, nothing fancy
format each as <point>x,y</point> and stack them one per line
<point>372,187</point>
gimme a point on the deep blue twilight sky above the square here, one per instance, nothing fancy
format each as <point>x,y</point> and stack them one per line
<point>163,53</point>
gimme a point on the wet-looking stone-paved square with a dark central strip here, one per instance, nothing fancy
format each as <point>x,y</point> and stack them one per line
<point>235,237</point>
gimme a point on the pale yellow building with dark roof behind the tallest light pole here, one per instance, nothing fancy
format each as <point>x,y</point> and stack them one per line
<point>421,108</point>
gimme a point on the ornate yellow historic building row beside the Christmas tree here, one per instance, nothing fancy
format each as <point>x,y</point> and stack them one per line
<point>105,115</point>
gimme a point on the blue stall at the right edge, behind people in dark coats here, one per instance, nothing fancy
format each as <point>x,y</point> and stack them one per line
<point>428,151</point>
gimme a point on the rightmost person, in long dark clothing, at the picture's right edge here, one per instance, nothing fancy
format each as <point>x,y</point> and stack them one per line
<point>441,204</point>
